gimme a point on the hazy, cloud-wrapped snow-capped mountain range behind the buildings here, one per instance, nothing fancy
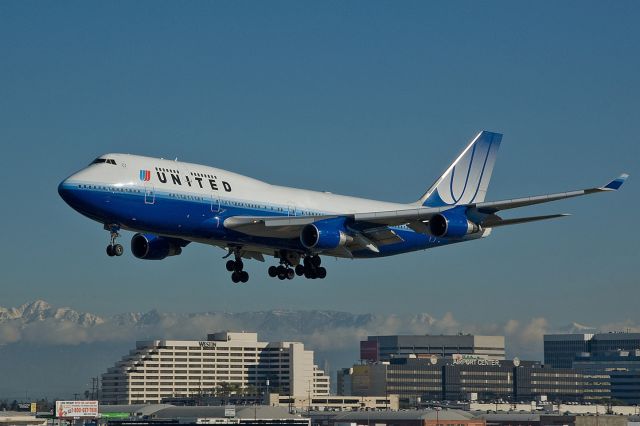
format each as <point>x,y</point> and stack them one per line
<point>53,351</point>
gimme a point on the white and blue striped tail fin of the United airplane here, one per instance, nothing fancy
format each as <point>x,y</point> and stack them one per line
<point>467,178</point>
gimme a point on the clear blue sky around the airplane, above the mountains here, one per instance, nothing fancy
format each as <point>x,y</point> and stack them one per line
<point>364,98</point>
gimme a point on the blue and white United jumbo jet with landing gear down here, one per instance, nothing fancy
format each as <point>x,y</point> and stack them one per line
<point>170,204</point>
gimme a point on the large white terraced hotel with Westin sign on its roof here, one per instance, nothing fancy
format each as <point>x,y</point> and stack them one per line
<point>173,368</point>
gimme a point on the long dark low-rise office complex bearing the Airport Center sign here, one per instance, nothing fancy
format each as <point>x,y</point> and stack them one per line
<point>462,377</point>
